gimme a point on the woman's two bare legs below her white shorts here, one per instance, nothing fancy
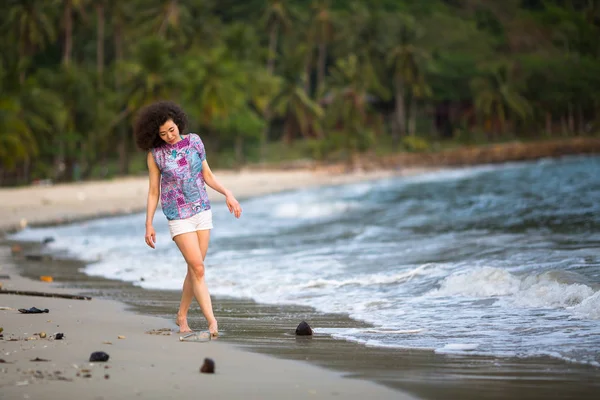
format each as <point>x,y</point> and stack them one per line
<point>189,245</point>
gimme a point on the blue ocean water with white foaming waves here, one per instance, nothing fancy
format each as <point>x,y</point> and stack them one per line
<point>500,261</point>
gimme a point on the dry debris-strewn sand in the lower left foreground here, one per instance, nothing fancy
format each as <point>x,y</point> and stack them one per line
<point>140,364</point>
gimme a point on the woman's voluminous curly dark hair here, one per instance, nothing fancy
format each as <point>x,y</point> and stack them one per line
<point>151,118</point>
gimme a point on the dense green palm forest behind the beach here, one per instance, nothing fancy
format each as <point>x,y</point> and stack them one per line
<point>301,78</point>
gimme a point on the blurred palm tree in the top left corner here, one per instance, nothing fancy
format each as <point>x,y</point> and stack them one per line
<point>31,23</point>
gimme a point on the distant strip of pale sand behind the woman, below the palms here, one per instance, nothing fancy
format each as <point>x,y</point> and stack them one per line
<point>46,205</point>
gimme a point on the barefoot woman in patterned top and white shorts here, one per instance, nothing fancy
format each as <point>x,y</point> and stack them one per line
<point>178,172</point>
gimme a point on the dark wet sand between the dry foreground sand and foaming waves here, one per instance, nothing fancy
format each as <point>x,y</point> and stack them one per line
<point>269,329</point>
